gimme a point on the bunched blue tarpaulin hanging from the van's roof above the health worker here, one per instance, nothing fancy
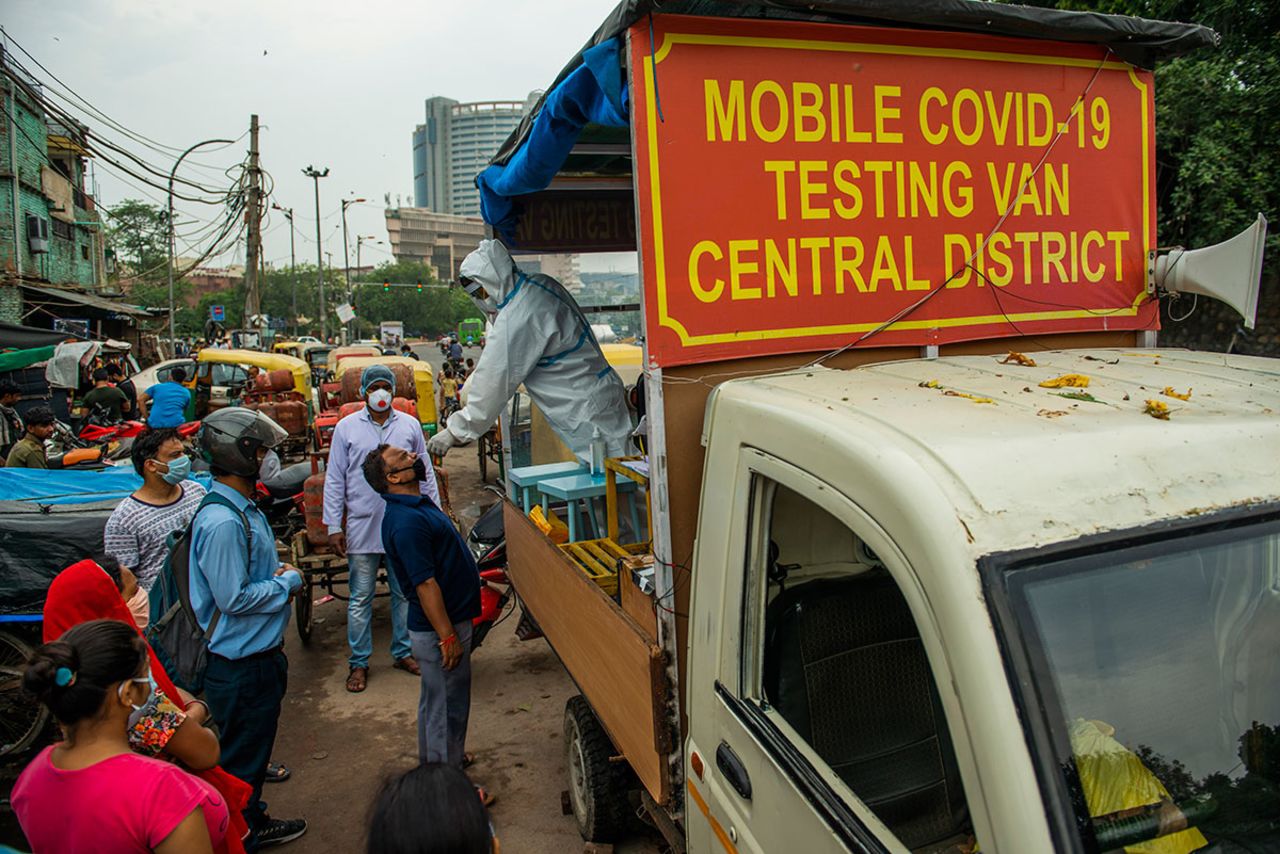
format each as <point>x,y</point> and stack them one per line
<point>593,94</point>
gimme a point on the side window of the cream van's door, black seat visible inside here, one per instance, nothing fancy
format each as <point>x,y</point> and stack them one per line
<point>835,652</point>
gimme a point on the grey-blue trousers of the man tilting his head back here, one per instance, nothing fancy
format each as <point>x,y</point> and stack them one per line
<point>445,702</point>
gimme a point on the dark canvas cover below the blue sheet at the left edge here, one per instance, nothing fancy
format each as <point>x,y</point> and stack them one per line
<point>38,542</point>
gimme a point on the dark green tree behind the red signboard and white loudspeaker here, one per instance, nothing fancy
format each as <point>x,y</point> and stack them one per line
<point>1218,147</point>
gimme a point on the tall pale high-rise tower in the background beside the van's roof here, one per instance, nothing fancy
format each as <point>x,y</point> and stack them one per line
<point>454,145</point>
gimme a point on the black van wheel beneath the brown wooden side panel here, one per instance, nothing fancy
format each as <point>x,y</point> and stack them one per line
<point>597,788</point>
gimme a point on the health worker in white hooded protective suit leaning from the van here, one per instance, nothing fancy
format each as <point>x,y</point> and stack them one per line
<point>541,340</point>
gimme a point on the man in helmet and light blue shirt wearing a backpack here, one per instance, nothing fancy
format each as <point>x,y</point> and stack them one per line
<point>239,581</point>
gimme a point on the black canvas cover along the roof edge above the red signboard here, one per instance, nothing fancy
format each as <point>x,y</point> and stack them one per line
<point>1136,40</point>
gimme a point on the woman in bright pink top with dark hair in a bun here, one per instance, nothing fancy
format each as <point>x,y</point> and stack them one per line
<point>92,793</point>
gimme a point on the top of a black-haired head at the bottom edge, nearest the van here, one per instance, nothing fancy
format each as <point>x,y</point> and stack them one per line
<point>432,810</point>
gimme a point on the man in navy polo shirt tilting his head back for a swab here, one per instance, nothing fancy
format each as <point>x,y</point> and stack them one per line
<point>429,558</point>
